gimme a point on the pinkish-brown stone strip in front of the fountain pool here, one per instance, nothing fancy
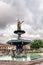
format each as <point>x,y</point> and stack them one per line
<point>33,62</point>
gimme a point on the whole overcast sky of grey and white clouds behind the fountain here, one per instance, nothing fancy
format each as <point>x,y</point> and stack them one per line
<point>29,11</point>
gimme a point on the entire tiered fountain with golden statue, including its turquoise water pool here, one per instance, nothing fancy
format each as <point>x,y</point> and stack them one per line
<point>18,54</point>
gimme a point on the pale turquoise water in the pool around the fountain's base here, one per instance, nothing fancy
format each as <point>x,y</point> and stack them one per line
<point>25,58</point>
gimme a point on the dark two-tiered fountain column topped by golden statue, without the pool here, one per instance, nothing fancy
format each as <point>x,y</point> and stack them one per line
<point>19,43</point>
